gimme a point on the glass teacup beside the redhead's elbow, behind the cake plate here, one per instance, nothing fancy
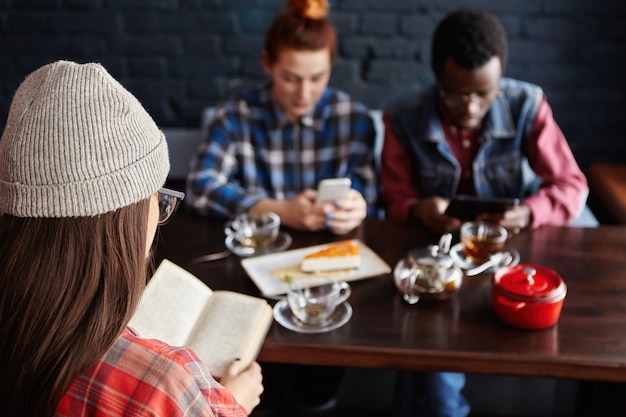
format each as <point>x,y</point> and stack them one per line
<point>253,233</point>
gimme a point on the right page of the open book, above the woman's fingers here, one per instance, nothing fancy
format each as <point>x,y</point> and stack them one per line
<point>233,326</point>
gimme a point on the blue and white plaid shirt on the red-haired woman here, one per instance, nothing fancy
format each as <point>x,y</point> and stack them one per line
<point>251,152</point>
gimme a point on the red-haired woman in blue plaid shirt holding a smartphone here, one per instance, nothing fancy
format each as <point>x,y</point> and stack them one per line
<point>267,149</point>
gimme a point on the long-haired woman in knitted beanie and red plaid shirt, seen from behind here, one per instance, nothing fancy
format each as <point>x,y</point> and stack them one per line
<point>81,166</point>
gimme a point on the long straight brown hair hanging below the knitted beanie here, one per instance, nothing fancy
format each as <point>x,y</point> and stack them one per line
<point>68,287</point>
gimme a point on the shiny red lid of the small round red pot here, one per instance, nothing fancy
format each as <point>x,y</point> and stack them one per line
<point>529,283</point>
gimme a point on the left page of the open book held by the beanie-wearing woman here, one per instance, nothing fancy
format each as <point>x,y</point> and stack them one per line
<point>170,305</point>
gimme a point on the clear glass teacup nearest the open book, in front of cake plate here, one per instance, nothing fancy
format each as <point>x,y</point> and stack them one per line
<point>314,300</point>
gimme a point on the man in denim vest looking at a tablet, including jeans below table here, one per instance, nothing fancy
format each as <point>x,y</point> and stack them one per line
<point>473,133</point>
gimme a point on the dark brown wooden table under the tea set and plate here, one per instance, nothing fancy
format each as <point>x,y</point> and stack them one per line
<point>461,334</point>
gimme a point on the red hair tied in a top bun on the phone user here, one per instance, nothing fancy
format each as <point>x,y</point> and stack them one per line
<point>303,26</point>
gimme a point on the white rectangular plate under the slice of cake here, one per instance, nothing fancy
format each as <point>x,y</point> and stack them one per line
<point>260,268</point>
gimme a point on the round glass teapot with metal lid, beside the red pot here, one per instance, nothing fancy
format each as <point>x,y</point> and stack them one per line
<point>428,273</point>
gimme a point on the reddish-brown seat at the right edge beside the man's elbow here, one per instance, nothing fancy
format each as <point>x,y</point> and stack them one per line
<point>607,183</point>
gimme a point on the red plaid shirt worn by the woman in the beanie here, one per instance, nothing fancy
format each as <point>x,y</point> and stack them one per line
<point>141,377</point>
